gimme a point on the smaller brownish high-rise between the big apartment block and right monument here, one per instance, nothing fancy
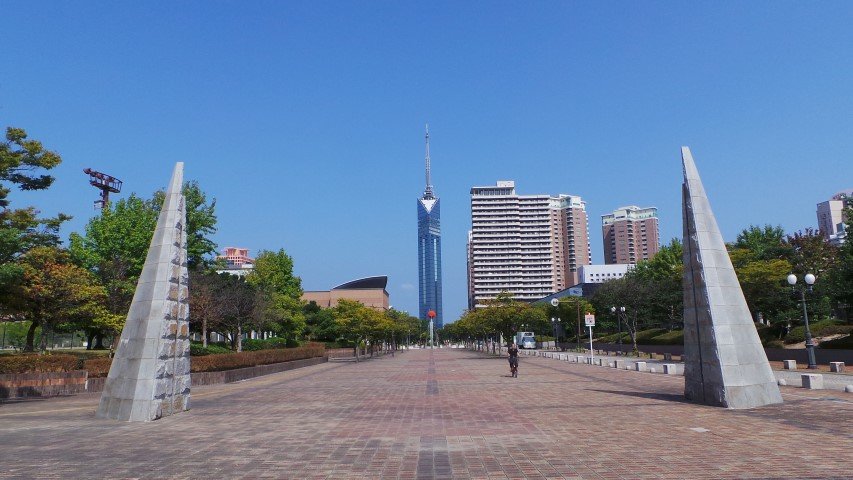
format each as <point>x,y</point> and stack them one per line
<point>630,234</point>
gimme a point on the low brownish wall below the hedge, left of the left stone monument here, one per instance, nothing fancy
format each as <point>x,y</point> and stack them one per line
<point>25,385</point>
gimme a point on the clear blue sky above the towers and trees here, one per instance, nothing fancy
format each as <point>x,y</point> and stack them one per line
<point>305,119</point>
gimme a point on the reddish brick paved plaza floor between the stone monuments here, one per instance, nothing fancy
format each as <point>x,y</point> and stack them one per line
<point>438,414</point>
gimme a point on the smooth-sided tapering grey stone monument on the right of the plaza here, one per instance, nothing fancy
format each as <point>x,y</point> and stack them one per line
<point>724,362</point>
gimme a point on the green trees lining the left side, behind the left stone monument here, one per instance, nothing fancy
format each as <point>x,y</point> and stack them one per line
<point>90,284</point>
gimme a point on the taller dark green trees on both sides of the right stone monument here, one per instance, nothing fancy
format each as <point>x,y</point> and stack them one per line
<point>763,257</point>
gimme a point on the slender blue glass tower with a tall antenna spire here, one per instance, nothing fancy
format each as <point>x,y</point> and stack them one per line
<point>429,250</point>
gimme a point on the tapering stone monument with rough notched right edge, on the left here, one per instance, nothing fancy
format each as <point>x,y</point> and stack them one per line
<point>150,374</point>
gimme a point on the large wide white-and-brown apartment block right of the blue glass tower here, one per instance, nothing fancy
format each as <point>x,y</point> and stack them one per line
<point>527,245</point>
